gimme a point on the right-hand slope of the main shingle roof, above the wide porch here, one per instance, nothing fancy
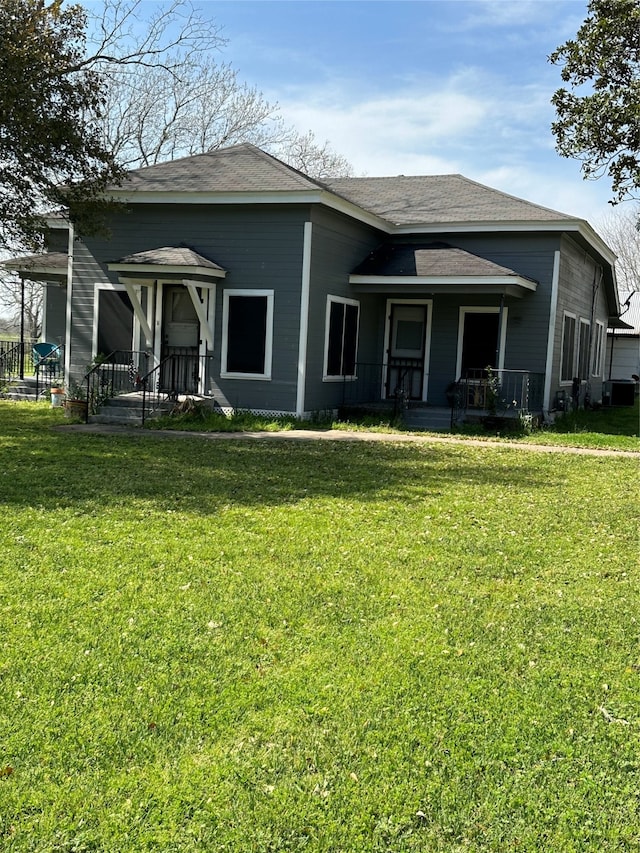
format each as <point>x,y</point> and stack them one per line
<point>441,199</point>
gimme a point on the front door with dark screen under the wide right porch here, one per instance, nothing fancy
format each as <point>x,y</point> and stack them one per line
<point>407,337</point>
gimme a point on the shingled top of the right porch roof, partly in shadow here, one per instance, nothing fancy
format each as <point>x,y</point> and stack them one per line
<point>433,259</point>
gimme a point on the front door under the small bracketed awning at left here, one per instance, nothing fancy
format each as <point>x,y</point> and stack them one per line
<point>180,341</point>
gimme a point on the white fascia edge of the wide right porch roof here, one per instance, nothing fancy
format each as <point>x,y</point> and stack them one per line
<point>516,286</point>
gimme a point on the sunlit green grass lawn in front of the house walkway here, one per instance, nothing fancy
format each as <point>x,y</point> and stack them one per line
<point>314,646</point>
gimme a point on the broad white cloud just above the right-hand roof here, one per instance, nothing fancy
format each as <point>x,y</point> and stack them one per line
<point>474,123</point>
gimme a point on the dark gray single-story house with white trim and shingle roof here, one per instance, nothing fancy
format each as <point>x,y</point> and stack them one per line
<point>233,276</point>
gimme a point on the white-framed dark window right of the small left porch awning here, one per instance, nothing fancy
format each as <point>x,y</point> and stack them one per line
<point>247,322</point>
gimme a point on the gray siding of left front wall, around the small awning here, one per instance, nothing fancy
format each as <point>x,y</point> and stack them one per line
<point>260,247</point>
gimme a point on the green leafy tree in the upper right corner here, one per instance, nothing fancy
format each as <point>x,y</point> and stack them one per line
<point>598,118</point>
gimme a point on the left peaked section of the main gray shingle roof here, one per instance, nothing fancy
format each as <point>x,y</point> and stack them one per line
<point>241,168</point>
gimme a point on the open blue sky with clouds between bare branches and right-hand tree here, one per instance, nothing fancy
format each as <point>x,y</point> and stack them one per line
<point>419,86</point>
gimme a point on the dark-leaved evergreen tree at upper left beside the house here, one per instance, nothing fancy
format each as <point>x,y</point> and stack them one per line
<point>51,149</point>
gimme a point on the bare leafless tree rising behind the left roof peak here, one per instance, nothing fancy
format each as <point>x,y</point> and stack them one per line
<point>181,100</point>
